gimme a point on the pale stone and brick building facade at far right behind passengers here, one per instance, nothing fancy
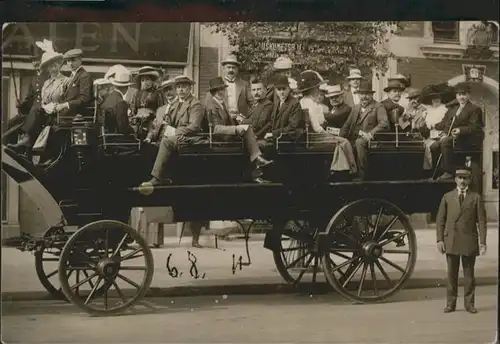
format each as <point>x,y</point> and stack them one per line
<point>456,51</point>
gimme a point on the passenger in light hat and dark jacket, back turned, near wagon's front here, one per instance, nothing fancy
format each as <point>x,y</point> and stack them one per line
<point>114,108</point>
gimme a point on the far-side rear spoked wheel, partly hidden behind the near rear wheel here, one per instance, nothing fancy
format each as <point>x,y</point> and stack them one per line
<point>294,256</point>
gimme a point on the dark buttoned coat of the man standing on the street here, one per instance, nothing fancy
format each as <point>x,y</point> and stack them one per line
<point>461,226</point>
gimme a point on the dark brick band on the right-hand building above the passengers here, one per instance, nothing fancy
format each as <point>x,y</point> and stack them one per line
<point>427,71</point>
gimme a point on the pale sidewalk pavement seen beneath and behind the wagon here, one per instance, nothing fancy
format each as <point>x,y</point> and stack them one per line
<point>20,282</point>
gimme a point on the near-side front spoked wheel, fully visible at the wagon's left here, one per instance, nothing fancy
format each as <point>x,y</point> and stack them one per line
<point>110,252</point>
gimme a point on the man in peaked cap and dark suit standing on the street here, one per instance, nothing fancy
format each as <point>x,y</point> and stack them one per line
<point>460,220</point>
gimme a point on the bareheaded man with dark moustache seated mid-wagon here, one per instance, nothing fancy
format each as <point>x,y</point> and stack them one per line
<point>259,115</point>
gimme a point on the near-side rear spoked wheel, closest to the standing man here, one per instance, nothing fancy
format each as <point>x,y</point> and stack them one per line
<point>372,250</point>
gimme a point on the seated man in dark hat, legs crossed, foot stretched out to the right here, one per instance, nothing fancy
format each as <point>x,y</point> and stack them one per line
<point>226,127</point>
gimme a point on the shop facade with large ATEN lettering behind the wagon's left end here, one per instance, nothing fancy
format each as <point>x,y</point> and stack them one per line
<point>177,48</point>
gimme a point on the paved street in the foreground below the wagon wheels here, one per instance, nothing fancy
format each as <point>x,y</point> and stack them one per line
<point>413,316</point>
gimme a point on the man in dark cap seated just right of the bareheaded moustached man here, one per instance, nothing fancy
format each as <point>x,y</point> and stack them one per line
<point>287,121</point>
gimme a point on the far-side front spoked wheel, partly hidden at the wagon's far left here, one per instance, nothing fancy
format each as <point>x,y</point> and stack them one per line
<point>47,267</point>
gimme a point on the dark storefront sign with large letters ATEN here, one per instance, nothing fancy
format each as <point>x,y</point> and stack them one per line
<point>156,42</point>
